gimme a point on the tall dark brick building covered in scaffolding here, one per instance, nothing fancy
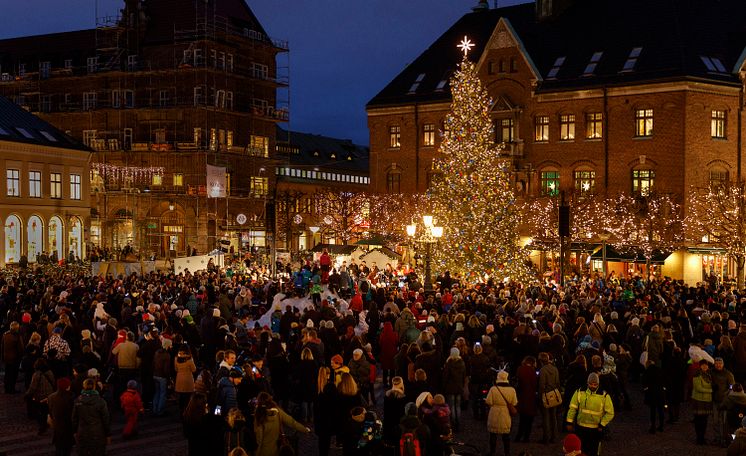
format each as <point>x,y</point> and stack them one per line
<point>160,92</point>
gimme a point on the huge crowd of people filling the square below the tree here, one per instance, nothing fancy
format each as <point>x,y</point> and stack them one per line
<point>366,360</point>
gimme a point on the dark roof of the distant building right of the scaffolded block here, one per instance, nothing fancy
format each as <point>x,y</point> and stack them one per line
<point>324,152</point>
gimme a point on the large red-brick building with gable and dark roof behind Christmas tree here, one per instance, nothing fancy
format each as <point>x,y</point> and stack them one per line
<point>589,96</point>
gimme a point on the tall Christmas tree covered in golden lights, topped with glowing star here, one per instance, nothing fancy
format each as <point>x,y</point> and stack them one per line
<point>472,195</point>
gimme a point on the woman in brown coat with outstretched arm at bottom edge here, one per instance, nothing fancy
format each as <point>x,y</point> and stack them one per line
<point>269,420</point>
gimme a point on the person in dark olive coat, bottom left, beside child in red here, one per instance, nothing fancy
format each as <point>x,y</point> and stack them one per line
<point>91,421</point>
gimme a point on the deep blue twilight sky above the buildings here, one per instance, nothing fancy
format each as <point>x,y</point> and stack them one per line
<point>342,52</point>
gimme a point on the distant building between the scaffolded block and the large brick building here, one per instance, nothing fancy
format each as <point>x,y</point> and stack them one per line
<point>308,164</point>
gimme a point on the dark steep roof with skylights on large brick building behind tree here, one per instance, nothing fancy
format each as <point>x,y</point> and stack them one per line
<point>674,36</point>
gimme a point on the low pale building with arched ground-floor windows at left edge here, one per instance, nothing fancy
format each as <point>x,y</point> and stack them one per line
<point>45,204</point>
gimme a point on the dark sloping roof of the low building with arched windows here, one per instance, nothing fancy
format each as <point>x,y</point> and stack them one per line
<point>17,125</point>
